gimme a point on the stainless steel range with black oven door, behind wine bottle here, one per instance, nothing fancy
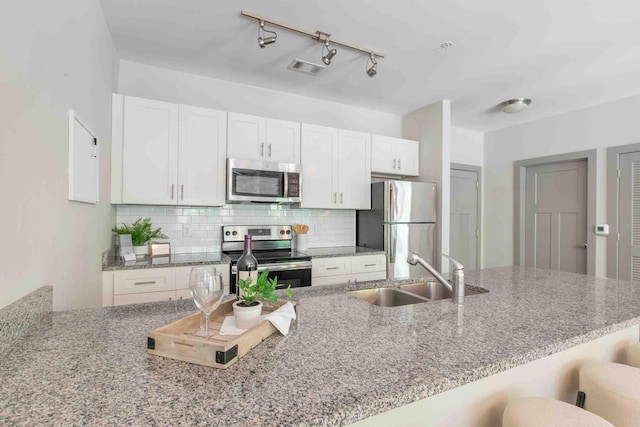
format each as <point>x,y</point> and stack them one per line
<point>271,245</point>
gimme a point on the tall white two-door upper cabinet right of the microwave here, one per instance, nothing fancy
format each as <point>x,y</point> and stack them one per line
<point>336,168</point>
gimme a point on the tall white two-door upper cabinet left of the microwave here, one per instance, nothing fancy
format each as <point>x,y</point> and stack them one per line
<point>167,154</point>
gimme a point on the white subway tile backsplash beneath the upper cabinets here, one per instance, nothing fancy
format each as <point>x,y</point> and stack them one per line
<point>326,227</point>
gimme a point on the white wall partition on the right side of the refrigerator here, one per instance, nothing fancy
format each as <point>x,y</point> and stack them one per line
<point>431,126</point>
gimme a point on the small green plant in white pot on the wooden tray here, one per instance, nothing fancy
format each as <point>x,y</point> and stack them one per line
<point>248,308</point>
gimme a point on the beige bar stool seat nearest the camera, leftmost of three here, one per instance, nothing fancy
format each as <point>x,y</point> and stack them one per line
<point>543,412</point>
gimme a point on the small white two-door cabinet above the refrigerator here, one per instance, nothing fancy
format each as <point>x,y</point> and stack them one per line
<point>394,156</point>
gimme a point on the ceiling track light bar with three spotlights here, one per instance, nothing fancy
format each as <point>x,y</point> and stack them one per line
<point>319,36</point>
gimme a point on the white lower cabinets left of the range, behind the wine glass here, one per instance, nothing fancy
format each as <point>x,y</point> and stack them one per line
<point>150,284</point>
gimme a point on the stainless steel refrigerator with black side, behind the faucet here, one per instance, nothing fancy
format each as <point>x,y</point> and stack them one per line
<point>402,220</point>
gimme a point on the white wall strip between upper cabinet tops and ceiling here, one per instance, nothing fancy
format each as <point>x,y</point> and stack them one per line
<point>147,81</point>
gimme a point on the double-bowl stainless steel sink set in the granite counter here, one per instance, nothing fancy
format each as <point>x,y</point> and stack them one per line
<point>413,293</point>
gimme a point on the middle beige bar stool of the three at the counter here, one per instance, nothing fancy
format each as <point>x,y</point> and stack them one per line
<point>612,391</point>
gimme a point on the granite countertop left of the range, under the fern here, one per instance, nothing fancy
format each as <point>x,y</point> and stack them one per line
<point>111,262</point>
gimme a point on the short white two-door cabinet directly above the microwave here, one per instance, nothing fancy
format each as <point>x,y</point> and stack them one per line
<point>259,138</point>
